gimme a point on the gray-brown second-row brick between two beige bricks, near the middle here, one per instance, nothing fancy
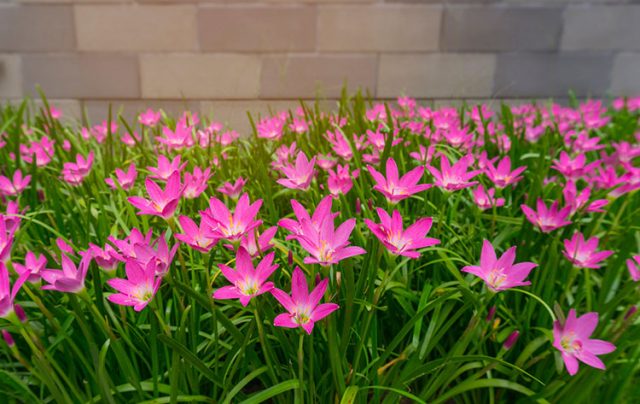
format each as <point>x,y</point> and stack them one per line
<point>310,76</point>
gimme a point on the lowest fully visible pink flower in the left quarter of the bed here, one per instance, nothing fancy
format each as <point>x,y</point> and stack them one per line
<point>138,289</point>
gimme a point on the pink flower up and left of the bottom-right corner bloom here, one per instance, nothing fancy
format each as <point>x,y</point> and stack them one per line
<point>500,273</point>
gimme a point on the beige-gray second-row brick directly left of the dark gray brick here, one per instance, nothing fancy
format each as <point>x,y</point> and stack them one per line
<point>436,75</point>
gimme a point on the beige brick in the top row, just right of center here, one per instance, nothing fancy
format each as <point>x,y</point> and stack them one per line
<point>379,28</point>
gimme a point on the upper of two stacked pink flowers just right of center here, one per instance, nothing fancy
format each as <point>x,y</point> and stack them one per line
<point>394,188</point>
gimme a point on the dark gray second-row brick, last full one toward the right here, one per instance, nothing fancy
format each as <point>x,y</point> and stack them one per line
<point>543,74</point>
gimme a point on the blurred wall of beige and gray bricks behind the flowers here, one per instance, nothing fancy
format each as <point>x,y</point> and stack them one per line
<point>229,56</point>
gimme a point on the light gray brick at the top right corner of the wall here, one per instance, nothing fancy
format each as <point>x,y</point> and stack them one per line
<point>601,28</point>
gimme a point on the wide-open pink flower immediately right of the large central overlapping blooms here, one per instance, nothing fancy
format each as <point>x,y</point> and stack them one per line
<point>399,241</point>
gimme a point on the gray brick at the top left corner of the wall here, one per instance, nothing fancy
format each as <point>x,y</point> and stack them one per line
<point>36,28</point>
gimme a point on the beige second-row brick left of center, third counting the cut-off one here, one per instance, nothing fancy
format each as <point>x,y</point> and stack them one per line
<point>200,76</point>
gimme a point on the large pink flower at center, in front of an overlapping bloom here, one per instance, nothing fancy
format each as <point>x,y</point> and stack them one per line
<point>326,244</point>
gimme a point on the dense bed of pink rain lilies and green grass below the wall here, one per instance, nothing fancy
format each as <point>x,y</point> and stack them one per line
<point>377,253</point>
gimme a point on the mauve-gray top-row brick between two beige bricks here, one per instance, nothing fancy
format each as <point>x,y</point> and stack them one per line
<point>251,28</point>
